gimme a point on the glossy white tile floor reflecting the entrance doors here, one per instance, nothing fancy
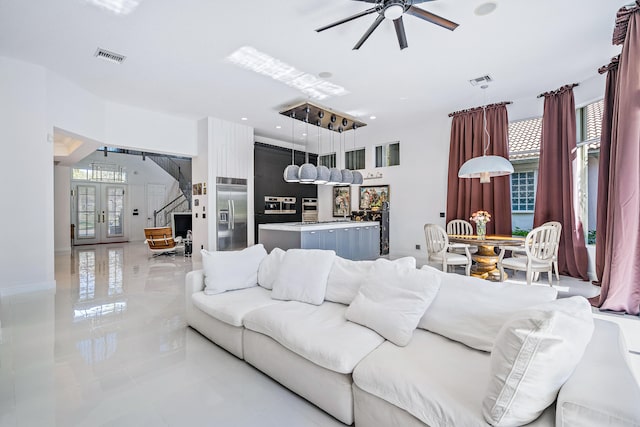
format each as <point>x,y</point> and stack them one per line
<point>111,348</point>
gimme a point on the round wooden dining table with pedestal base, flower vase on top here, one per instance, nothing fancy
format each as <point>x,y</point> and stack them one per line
<point>486,258</point>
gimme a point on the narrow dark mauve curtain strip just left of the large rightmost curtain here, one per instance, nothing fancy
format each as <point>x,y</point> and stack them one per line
<point>603,168</point>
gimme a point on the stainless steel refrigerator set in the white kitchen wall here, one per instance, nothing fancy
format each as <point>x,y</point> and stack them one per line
<point>231,215</point>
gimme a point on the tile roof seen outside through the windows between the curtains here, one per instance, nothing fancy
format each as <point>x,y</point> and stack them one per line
<point>525,135</point>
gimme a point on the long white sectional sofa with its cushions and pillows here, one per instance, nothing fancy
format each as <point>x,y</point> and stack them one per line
<point>442,376</point>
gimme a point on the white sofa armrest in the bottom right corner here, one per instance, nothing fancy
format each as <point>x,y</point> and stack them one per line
<point>602,390</point>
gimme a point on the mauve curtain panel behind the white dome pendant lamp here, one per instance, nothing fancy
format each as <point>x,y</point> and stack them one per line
<point>464,195</point>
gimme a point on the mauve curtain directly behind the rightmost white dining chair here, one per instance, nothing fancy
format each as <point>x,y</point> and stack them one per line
<point>554,194</point>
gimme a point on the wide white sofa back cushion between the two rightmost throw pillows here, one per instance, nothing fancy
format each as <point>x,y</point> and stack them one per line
<point>472,311</point>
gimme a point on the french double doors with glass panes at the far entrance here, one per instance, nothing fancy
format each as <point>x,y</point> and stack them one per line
<point>98,213</point>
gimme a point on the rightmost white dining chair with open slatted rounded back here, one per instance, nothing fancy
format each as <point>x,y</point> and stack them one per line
<point>540,250</point>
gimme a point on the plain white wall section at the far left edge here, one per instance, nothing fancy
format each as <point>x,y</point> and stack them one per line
<point>27,176</point>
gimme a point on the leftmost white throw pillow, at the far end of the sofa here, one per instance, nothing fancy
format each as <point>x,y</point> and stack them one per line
<point>228,270</point>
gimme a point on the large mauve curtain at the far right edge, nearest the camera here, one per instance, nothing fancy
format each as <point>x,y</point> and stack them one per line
<point>621,277</point>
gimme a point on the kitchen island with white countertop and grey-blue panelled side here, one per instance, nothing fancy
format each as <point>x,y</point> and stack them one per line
<point>356,240</point>
